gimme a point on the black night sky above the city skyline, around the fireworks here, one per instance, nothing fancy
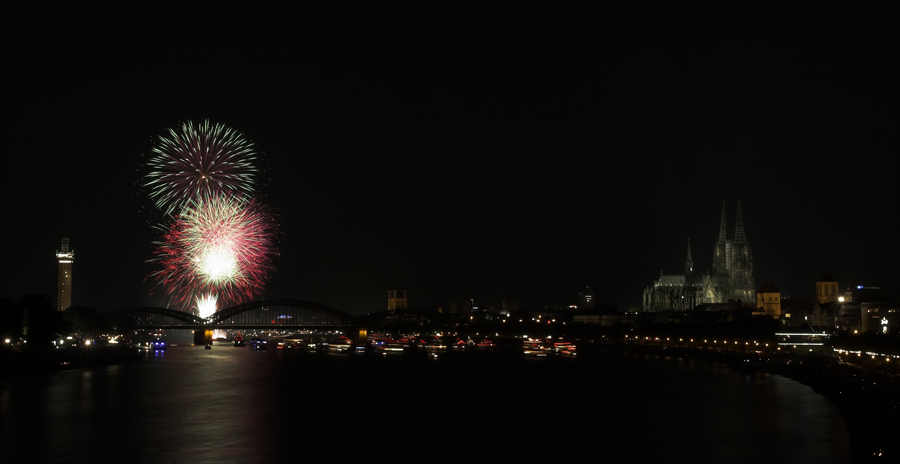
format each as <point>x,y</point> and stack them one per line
<point>477,152</point>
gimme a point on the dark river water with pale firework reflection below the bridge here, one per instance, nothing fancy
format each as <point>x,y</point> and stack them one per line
<point>239,405</point>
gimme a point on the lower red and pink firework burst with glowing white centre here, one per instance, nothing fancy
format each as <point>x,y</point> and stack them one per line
<point>219,245</point>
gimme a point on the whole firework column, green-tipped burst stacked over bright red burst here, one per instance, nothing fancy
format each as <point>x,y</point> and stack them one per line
<point>217,239</point>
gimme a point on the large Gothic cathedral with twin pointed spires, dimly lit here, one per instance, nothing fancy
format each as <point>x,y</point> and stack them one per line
<point>731,277</point>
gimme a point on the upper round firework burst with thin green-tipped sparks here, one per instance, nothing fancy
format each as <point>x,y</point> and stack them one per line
<point>191,163</point>
